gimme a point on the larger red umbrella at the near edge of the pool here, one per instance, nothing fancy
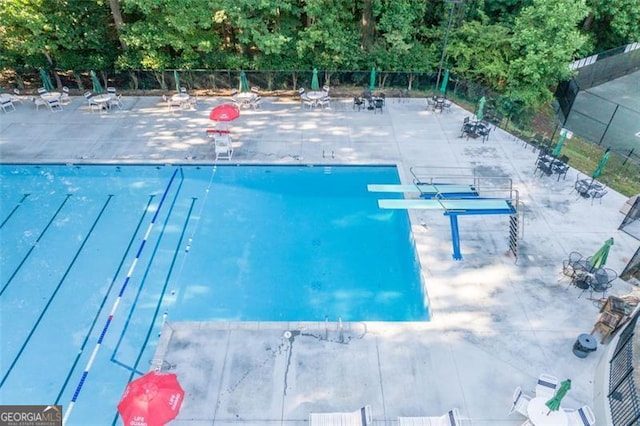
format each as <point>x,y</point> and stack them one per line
<point>151,400</point>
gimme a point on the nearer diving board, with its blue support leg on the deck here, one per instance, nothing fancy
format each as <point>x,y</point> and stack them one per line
<point>454,208</point>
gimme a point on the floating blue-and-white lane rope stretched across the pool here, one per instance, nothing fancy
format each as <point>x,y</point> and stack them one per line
<point>114,308</point>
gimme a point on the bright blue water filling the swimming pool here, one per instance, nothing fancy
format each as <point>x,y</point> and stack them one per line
<point>174,243</point>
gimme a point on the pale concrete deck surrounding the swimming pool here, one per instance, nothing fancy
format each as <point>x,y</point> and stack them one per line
<point>496,324</point>
